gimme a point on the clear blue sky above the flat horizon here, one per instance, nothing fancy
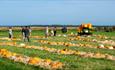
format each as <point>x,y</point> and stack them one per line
<point>20,12</point>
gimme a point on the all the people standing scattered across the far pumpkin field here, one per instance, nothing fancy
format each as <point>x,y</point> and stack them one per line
<point>26,32</point>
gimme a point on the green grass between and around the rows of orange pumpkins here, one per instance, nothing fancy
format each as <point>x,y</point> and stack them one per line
<point>71,62</point>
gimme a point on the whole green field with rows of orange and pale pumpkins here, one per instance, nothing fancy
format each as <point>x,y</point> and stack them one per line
<point>62,52</point>
